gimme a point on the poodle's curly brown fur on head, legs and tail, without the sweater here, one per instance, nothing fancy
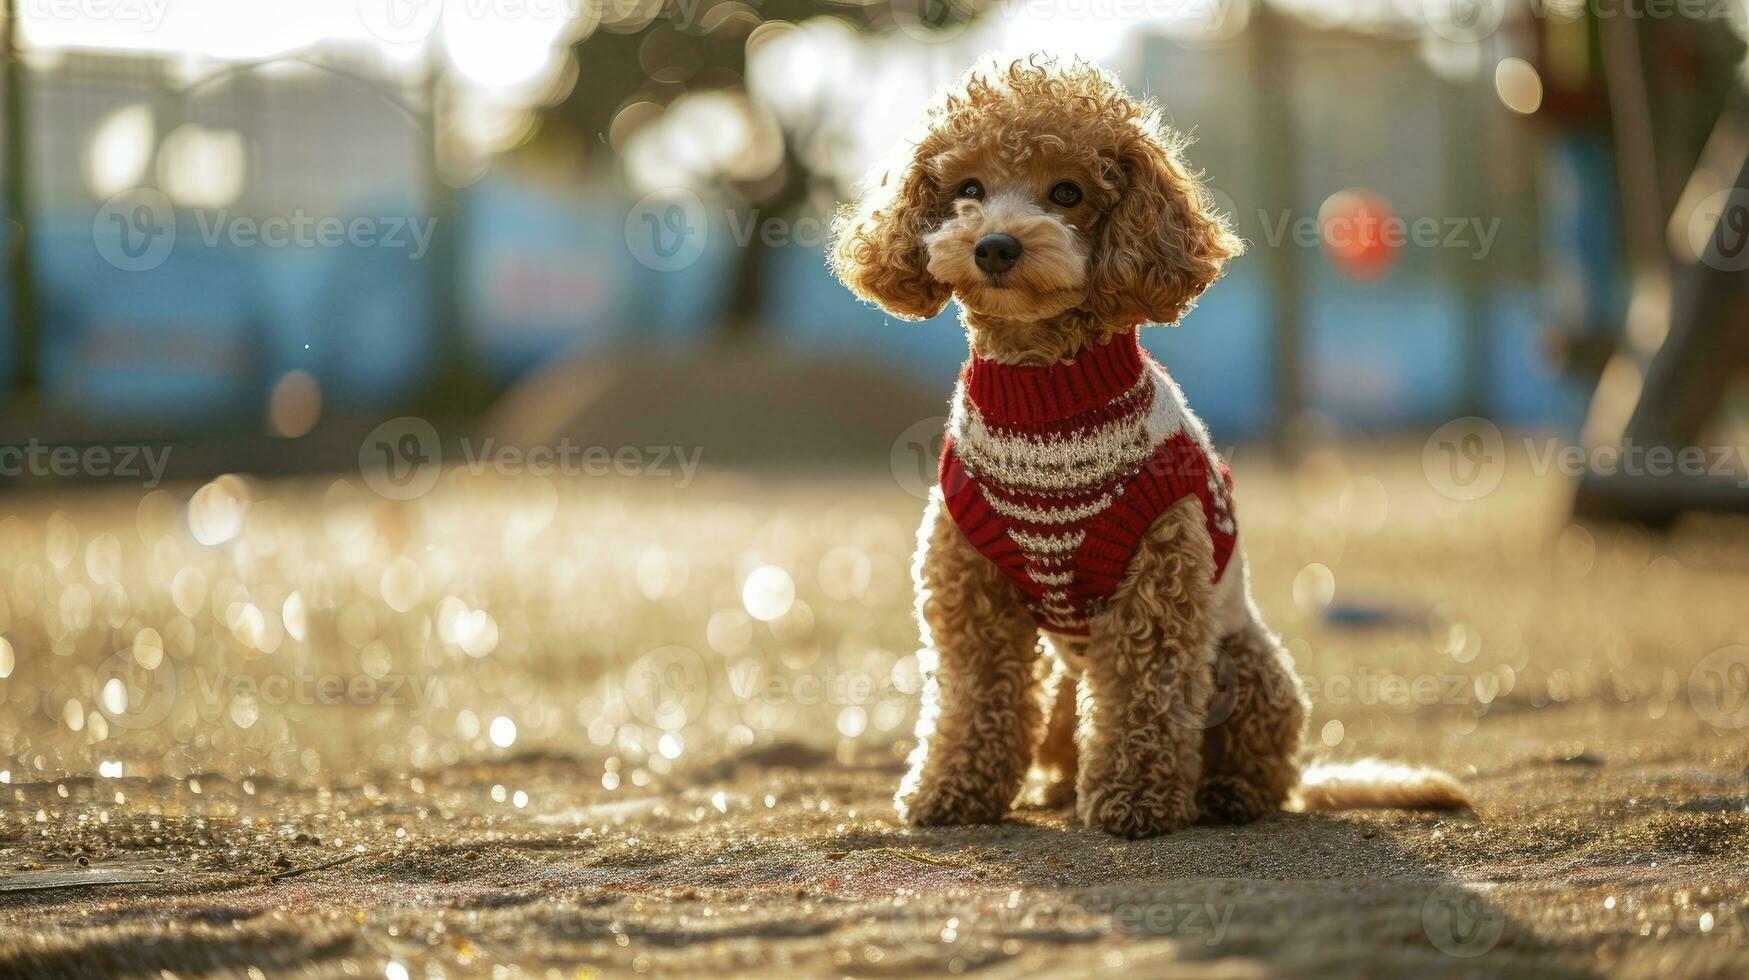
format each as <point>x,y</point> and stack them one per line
<point>1187,706</point>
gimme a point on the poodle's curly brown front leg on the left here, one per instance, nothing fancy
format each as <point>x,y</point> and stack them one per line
<point>982,715</point>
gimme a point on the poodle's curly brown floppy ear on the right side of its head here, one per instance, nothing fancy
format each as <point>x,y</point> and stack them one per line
<point>1164,242</point>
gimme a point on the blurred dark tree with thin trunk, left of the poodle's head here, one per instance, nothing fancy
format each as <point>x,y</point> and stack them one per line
<point>657,52</point>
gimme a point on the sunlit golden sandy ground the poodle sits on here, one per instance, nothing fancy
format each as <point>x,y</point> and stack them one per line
<point>562,727</point>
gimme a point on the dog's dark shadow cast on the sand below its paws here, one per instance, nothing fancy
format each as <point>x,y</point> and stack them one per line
<point>1295,893</point>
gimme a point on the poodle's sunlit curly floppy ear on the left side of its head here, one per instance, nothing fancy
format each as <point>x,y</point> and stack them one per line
<point>879,242</point>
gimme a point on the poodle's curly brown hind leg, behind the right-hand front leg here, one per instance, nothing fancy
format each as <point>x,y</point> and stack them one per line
<point>1257,720</point>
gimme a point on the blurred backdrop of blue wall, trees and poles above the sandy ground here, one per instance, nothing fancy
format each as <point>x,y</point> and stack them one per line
<point>279,218</point>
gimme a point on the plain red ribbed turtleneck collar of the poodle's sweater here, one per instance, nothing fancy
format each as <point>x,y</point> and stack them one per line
<point>1008,393</point>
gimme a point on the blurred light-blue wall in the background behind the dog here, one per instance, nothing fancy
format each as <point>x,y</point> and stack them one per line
<point>548,274</point>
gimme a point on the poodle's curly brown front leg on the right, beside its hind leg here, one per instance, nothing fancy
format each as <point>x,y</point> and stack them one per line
<point>1148,685</point>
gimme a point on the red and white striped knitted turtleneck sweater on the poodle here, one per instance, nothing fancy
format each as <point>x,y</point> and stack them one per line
<point>1057,473</point>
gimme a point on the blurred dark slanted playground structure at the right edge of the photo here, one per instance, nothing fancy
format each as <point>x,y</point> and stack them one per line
<point>1683,342</point>
